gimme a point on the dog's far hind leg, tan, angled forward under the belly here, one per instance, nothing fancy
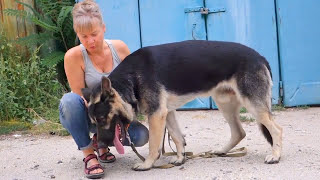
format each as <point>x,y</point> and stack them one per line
<point>229,105</point>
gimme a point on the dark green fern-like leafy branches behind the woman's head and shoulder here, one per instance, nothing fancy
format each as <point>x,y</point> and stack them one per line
<point>56,30</point>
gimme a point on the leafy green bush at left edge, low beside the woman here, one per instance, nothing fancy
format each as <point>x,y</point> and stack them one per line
<point>28,88</point>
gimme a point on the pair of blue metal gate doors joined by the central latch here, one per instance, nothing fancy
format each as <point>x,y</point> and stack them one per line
<point>248,22</point>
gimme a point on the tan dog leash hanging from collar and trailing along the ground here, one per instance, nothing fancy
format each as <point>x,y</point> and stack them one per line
<point>189,155</point>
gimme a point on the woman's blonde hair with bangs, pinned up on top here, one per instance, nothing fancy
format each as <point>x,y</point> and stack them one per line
<point>84,13</point>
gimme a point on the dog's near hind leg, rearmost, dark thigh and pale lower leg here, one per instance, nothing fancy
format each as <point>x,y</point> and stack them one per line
<point>256,92</point>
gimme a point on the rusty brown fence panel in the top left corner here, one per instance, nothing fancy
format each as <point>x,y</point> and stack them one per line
<point>15,27</point>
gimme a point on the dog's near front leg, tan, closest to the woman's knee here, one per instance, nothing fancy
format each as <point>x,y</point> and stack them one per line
<point>157,122</point>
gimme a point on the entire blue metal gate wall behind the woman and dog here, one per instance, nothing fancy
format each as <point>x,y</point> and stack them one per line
<point>254,23</point>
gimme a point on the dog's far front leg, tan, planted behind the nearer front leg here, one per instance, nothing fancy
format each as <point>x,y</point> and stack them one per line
<point>178,139</point>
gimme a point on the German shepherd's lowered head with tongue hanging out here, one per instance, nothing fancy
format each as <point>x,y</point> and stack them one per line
<point>109,112</point>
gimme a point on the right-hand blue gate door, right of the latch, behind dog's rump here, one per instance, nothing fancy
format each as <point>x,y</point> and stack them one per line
<point>248,22</point>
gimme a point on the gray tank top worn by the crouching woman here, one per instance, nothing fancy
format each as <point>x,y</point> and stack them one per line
<point>91,75</point>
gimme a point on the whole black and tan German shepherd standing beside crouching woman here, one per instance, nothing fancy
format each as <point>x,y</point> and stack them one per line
<point>156,80</point>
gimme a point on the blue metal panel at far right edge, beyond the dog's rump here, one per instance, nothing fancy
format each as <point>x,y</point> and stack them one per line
<point>299,37</point>
